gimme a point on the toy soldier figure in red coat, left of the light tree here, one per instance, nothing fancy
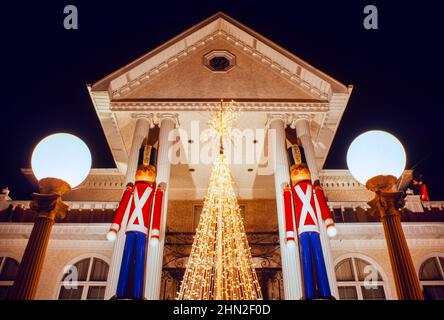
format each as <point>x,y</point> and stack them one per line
<point>134,214</point>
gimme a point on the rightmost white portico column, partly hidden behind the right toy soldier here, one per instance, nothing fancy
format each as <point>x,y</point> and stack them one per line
<point>302,126</point>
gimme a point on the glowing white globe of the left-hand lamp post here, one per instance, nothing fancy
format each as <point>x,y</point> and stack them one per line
<point>61,156</point>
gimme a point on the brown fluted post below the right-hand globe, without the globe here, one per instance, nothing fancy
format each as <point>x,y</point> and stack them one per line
<point>406,278</point>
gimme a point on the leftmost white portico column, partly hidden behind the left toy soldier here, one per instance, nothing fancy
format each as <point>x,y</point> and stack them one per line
<point>143,123</point>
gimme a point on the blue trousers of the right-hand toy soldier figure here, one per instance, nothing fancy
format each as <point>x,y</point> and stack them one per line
<point>313,267</point>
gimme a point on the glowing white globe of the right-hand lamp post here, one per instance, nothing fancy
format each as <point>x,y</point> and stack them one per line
<point>376,154</point>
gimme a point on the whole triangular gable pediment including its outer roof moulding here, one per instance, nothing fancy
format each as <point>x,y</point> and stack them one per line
<point>176,70</point>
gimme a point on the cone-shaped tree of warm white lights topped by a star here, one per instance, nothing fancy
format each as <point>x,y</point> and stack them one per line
<point>220,266</point>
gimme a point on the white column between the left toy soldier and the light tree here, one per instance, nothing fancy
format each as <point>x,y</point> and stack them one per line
<point>155,253</point>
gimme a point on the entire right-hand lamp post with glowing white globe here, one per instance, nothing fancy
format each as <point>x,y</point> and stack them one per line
<point>377,159</point>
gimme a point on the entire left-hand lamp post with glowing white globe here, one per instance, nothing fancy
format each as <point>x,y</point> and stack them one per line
<point>60,162</point>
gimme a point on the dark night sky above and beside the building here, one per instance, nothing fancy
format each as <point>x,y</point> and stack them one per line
<point>397,71</point>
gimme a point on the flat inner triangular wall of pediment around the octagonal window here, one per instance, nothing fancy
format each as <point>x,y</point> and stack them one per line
<point>191,79</point>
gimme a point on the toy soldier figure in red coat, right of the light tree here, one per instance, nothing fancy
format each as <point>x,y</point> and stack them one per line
<point>304,202</point>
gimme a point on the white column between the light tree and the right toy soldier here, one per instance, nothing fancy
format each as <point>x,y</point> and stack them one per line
<point>291,270</point>
